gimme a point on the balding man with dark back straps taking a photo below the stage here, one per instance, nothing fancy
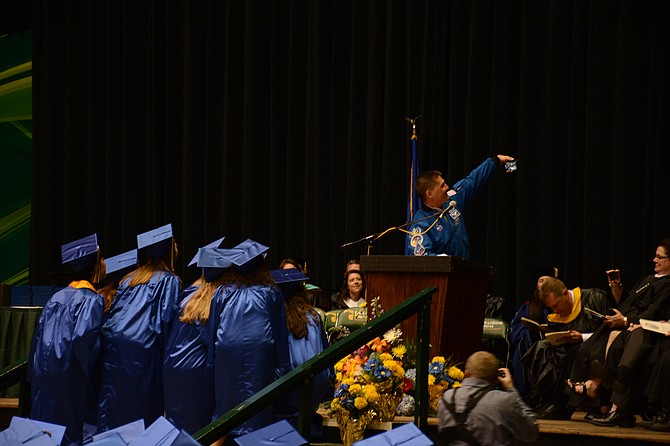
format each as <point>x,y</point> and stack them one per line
<point>486,408</point>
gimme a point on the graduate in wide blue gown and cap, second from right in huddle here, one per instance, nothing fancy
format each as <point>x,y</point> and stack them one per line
<point>251,348</point>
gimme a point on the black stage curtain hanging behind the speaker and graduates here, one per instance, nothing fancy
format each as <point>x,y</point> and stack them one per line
<point>284,122</point>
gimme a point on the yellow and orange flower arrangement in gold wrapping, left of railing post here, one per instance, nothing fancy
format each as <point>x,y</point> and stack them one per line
<point>369,385</point>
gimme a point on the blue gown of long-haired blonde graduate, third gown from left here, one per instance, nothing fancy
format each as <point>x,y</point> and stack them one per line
<point>188,368</point>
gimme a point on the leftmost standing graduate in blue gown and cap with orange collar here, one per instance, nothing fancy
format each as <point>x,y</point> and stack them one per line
<point>67,343</point>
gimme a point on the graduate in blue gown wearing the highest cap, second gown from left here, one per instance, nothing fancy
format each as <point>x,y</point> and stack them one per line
<point>134,335</point>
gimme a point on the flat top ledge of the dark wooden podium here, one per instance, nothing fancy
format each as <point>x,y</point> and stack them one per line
<point>422,264</point>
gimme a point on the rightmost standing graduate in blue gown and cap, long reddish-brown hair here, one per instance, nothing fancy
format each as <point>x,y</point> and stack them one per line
<point>306,339</point>
